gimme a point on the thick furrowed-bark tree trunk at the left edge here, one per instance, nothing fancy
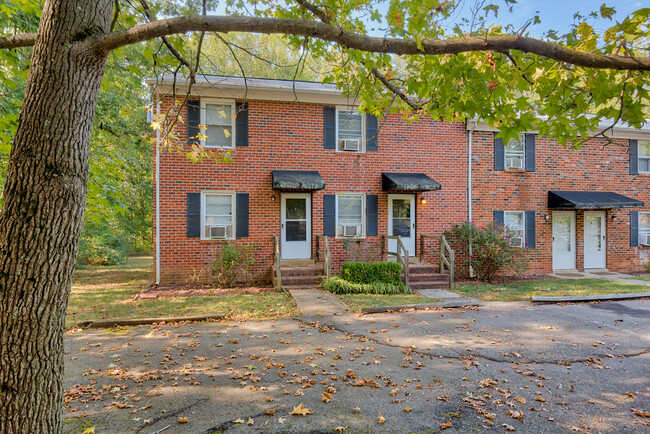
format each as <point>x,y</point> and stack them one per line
<point>42,214</point>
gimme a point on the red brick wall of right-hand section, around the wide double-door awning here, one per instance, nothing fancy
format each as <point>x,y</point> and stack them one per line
<point>598,166</point>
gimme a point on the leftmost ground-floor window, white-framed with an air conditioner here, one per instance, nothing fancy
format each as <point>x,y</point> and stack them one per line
<point>217,212</point>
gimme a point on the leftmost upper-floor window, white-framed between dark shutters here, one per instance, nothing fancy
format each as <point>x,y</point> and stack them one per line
<point>219,121</point>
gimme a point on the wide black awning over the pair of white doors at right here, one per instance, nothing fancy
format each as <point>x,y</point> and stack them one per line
<point>590,200</point>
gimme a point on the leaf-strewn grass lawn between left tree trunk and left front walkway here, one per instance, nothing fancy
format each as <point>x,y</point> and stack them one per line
<point>107,293</point>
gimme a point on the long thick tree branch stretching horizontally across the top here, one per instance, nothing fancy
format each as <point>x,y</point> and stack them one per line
<point>348,39</point>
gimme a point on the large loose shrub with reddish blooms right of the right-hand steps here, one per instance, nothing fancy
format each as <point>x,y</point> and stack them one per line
<point>491,249</point>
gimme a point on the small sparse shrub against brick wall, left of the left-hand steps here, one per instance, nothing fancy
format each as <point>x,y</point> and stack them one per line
<point>231,264</point>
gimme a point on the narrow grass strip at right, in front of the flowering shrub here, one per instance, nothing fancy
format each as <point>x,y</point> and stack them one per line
<point>521,291</point>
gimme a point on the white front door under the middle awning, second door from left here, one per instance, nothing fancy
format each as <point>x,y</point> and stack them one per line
<point>401,221</point>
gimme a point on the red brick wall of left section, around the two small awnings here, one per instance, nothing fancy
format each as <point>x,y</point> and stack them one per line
<point>286,135</point>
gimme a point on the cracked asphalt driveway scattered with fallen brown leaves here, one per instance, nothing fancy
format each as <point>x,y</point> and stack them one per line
<point>505,366</point>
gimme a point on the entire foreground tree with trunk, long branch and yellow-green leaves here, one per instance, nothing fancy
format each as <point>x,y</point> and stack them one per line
<point>497,73</point>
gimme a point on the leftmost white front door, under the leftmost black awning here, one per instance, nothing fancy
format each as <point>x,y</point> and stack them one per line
<point>295,226</point>
